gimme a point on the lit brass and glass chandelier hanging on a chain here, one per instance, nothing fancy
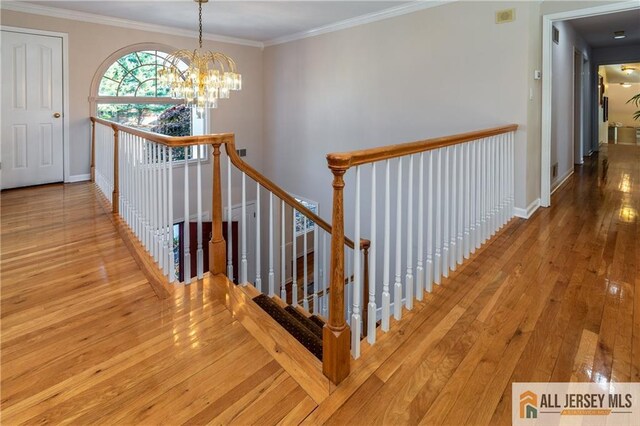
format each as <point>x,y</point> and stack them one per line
<point>209,76</point>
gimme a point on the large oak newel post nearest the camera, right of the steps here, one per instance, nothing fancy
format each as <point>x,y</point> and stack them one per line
<point>336,356</point>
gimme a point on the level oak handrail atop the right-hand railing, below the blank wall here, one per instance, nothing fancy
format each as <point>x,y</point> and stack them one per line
<point>346,160</point>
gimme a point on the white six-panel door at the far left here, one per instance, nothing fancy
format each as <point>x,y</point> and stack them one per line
<point>31,147</point>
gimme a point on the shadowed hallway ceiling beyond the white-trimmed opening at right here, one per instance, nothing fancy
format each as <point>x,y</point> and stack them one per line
<point>598,31</point>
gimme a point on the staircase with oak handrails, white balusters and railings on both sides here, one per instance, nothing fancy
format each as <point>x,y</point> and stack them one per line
<point>449,196</point>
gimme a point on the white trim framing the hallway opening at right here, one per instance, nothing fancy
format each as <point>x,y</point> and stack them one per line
<point>547,45</point>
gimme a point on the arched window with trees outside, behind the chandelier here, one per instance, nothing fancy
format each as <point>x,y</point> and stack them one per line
<point>126,90</point>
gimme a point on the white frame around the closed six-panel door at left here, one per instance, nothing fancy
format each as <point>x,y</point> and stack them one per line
<point>66,162</point>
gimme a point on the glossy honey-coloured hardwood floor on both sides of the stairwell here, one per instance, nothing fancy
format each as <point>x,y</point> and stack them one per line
<point>85,339</point>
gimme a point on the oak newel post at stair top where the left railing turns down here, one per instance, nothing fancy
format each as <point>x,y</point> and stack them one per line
<point>217,245</point>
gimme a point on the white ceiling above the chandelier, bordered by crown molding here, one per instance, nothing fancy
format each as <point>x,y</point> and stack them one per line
<point>261,21</point>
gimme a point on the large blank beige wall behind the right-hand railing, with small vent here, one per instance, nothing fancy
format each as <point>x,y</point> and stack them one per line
<point>402,79</point>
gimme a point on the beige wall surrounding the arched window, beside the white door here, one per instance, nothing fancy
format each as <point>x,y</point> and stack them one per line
<point>90,44</point>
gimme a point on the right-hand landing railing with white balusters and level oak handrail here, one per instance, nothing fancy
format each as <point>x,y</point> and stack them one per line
<point>464,192</point>
